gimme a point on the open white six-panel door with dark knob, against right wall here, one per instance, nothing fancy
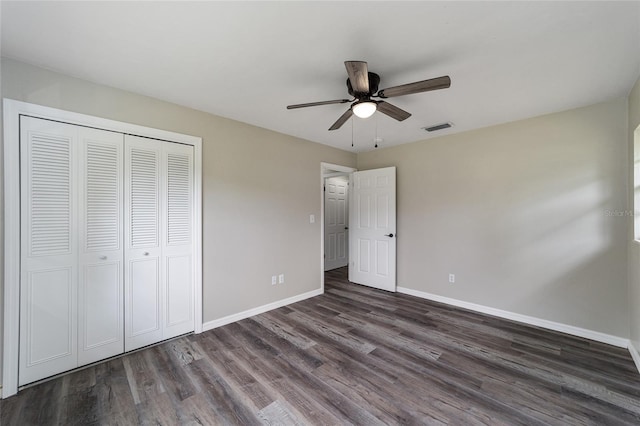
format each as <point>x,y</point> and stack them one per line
<point>372,226</point>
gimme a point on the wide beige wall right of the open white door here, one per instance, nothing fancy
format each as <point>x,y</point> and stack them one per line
<point>519,213</point>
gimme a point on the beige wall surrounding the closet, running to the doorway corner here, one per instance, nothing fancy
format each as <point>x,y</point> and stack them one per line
<point>259,188</point>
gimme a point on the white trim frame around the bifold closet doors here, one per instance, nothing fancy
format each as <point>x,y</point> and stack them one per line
<point>12,111</point>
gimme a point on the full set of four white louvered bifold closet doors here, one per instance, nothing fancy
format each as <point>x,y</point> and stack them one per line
<point>107,244</point>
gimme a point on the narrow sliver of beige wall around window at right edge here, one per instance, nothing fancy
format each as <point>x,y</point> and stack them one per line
<point>634,247</point>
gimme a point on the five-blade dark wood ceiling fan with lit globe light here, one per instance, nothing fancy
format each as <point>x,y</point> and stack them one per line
<point>363,85</point>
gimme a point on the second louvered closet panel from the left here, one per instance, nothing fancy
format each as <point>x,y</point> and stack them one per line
<point>101,330</point>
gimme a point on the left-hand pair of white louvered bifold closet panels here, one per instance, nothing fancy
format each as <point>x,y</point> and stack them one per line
<point>71,310</point>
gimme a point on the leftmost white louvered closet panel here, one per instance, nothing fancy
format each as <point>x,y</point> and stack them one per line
<point>49,249</point>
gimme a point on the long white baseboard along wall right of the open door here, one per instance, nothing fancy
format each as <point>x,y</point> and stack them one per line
<point>538,322</point>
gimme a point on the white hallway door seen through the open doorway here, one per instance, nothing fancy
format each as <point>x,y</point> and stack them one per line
<point>336,225</point>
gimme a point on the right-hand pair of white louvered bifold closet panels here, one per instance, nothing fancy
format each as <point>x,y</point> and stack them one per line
<point>159,281</point>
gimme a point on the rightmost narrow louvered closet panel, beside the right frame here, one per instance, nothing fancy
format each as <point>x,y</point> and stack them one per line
<point>178,239</point>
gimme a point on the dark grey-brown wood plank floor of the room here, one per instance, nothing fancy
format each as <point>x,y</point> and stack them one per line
<point>351,356</point>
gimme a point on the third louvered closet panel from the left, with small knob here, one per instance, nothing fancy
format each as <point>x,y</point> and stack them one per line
<point>143,263</point>
